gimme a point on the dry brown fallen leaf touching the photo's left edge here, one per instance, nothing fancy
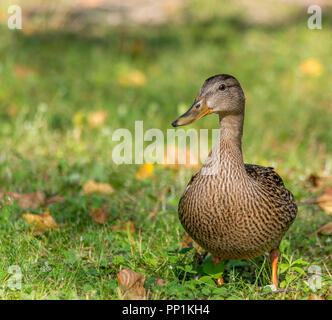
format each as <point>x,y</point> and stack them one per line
<point>31,200</point>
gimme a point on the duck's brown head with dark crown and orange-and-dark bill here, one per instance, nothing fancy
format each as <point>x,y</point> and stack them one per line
<point>221,94</point>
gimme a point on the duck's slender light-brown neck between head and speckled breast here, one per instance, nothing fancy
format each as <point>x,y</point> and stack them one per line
<point>226,155</point>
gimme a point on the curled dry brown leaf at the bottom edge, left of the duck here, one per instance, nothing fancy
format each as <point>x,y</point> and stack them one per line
<point>133,284</point>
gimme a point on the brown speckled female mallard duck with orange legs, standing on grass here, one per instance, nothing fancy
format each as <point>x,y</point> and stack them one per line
<point>231,209</point>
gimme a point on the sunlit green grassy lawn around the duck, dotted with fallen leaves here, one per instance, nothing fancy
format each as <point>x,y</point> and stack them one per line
<point>51,82</point>
